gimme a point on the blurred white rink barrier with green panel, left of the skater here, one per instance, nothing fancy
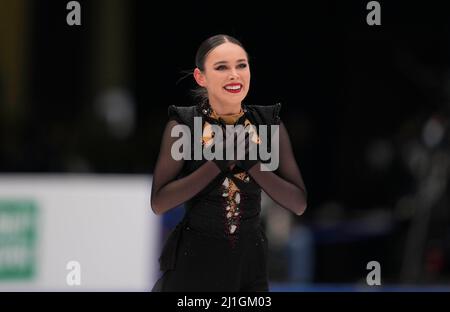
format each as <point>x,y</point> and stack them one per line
<point>77,233</point>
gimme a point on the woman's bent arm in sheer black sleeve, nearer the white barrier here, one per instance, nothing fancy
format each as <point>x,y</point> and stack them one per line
<point>169,192</point>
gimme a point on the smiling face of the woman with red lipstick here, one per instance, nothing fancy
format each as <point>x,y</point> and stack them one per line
<point>226,75</point>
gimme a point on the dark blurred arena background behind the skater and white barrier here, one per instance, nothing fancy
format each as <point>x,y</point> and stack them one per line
<point>366,107</point>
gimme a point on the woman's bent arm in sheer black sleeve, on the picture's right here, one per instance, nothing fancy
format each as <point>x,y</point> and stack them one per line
<point>286,188</point>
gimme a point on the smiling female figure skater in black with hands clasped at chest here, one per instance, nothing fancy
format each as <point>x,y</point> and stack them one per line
<point>220,244</point>
